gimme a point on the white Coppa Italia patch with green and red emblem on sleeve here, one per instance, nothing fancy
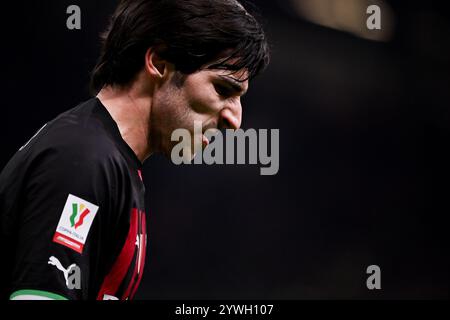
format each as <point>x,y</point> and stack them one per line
<point>75,223</point>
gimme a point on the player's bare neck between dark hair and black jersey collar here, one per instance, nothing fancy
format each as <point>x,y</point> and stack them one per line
<point>130,108</point>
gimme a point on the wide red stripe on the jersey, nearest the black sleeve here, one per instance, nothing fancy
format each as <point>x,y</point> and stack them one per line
<point>120,268</point>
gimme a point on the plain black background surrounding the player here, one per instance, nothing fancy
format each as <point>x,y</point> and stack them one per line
<point>364,130</point>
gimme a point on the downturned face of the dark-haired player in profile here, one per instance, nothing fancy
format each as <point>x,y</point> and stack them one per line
<point>212,97</point>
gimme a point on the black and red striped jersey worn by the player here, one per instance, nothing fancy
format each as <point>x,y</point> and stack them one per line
<point>72,213</point>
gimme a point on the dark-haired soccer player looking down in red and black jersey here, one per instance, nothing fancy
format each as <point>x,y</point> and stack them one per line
<point>72,212</point>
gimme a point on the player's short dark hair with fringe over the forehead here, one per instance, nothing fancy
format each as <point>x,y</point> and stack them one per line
<point>188,33</point>
